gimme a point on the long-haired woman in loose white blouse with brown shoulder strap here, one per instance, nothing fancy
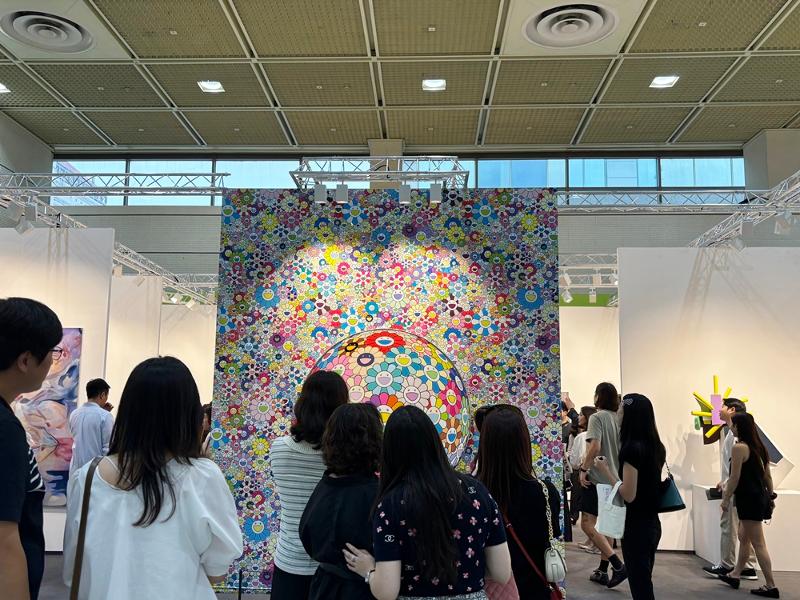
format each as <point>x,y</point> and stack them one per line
<point>162,522</point>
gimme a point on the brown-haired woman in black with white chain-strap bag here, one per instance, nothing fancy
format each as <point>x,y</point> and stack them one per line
<point>505,467</point>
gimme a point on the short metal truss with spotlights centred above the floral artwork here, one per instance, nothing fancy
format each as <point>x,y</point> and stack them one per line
<point>382,169</point>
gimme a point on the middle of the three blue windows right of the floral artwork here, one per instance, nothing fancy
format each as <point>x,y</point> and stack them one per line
<point>617,173</point>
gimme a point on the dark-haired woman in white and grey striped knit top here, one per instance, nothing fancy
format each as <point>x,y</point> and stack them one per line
<point>297,467</point>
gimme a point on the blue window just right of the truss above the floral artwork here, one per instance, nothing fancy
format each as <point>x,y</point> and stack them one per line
<point>521,173</point>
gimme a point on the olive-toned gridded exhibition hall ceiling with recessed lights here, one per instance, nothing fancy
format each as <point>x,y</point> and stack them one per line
<point>326,76</point>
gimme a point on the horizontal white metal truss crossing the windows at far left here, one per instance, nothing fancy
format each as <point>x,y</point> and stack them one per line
<point>112,184</point>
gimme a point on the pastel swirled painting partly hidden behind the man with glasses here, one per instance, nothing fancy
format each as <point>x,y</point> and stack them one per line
<point>45,416</point>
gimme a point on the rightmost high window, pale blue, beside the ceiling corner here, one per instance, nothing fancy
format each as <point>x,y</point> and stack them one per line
<point>712,172</point>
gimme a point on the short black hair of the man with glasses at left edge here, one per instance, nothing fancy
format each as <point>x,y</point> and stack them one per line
<point>27,326</point>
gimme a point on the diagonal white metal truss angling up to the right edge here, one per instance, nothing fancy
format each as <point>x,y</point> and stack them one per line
<point>783,198</point>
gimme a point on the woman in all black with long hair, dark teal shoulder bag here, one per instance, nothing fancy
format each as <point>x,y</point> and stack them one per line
<point>641,460</point>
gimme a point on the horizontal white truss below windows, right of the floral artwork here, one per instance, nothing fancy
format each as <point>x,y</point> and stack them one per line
<point>659,201</point>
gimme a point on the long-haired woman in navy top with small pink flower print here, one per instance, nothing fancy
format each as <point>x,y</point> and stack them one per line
<point>436,533</point>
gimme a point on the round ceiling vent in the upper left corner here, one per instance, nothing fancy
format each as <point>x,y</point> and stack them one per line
<point>46,32</point>
